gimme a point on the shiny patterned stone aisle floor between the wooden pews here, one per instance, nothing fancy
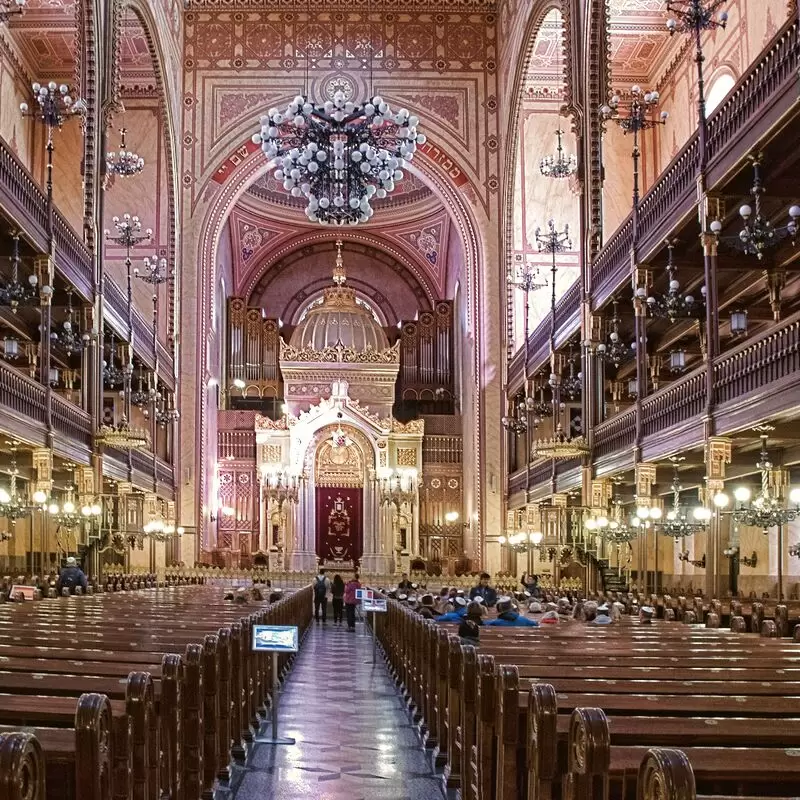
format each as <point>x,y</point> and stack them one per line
<point>354,739</point>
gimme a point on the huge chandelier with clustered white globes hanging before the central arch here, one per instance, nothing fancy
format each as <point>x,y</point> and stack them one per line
<point>339,155</point>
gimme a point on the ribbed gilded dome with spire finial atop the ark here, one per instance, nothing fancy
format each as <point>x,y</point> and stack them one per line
<point>339,321</point>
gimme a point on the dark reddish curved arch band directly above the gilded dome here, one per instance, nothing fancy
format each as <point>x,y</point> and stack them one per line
<point>315,242</point>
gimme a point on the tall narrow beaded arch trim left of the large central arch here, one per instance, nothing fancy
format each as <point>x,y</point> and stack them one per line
<point>147,21</point>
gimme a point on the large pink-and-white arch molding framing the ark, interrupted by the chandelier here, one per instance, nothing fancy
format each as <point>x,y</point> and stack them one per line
<point>210,228</point>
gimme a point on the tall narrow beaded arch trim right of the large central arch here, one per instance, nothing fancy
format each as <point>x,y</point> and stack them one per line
<point>569,109</point>
